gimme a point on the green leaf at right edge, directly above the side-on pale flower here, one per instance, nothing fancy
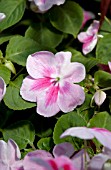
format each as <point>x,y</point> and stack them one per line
<point>101,120</point>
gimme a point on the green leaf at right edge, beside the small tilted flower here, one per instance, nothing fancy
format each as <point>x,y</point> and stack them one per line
<point>103,50</point>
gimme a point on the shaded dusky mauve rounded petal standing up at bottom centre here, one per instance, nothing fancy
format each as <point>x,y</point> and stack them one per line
<point>65,149</point>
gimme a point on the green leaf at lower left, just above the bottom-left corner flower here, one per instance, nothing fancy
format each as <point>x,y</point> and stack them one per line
<point>21,132</point>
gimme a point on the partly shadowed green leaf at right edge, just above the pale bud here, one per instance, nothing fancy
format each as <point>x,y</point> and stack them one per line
<point>102,79</point>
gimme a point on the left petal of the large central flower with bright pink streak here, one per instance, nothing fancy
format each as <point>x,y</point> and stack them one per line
<point>31,87</point>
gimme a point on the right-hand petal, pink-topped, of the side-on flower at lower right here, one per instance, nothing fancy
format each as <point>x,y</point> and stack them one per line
<point>103,136</point>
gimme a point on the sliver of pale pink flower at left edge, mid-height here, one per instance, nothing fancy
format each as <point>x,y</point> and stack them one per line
<point>2,88</point>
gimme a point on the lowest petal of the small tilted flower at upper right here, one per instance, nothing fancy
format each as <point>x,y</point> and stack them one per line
<point>89,46</point>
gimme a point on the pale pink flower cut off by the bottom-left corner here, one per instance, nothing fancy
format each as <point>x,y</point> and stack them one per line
<point>9,155</point>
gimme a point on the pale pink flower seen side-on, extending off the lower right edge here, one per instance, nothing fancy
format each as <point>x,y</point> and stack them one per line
<point>101,134</point>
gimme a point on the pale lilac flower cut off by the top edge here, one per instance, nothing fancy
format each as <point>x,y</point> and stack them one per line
<point>44,5</point>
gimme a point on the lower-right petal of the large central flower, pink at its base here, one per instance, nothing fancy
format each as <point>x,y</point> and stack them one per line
<point>70,96</point>
